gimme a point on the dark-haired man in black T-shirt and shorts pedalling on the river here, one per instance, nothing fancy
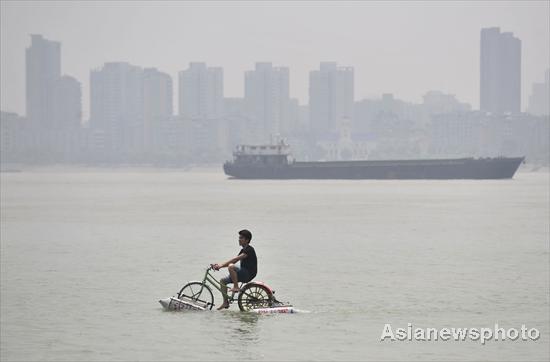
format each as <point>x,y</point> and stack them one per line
<point>247,271</point>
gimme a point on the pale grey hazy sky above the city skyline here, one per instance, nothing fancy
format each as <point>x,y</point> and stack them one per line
<point>405,48</point>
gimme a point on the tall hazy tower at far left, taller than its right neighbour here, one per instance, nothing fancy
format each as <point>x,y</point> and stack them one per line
<point>43,70</point>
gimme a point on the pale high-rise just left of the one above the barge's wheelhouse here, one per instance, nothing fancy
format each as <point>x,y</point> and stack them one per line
<point>201,92</point>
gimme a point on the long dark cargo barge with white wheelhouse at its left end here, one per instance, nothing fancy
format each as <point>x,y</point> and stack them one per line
<point>275,162</point>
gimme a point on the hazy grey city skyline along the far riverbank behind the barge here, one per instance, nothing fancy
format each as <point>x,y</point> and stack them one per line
<point>133,116</point>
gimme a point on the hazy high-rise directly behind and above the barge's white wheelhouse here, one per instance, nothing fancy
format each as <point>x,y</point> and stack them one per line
<point>266,94</point>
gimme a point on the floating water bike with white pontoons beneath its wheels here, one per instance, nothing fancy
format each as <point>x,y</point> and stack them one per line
<point>256,297</point>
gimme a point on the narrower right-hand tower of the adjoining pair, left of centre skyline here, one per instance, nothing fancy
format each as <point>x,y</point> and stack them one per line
<point>157,102</point>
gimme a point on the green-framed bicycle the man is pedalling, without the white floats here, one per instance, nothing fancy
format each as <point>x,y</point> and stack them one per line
<point>252,295</point>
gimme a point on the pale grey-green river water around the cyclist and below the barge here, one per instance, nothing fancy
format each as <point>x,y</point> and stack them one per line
<point>87,253</point>
